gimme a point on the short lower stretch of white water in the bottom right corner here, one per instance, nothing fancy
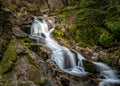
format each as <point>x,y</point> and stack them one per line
<point>108,73</point>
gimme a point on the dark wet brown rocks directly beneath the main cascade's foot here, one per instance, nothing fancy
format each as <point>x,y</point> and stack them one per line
<point>61,78</point>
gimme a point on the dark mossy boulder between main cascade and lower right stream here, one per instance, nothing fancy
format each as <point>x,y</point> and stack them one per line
<point>89,66</point>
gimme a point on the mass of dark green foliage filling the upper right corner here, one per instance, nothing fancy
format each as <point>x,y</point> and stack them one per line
<point>99,22</point>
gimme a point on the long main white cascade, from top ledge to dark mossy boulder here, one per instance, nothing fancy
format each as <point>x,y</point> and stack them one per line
<point>64,58</point>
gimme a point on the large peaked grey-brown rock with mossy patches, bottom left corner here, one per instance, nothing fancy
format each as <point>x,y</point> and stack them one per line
<point>24,70</point>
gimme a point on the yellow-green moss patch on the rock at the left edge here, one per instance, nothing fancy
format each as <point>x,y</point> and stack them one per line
<point>9,59</point>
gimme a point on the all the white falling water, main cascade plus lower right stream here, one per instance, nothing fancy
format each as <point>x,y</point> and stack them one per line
<point>65,59</point>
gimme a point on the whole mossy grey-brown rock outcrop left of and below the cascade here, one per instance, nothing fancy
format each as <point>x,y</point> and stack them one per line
<point>22,67</point>
